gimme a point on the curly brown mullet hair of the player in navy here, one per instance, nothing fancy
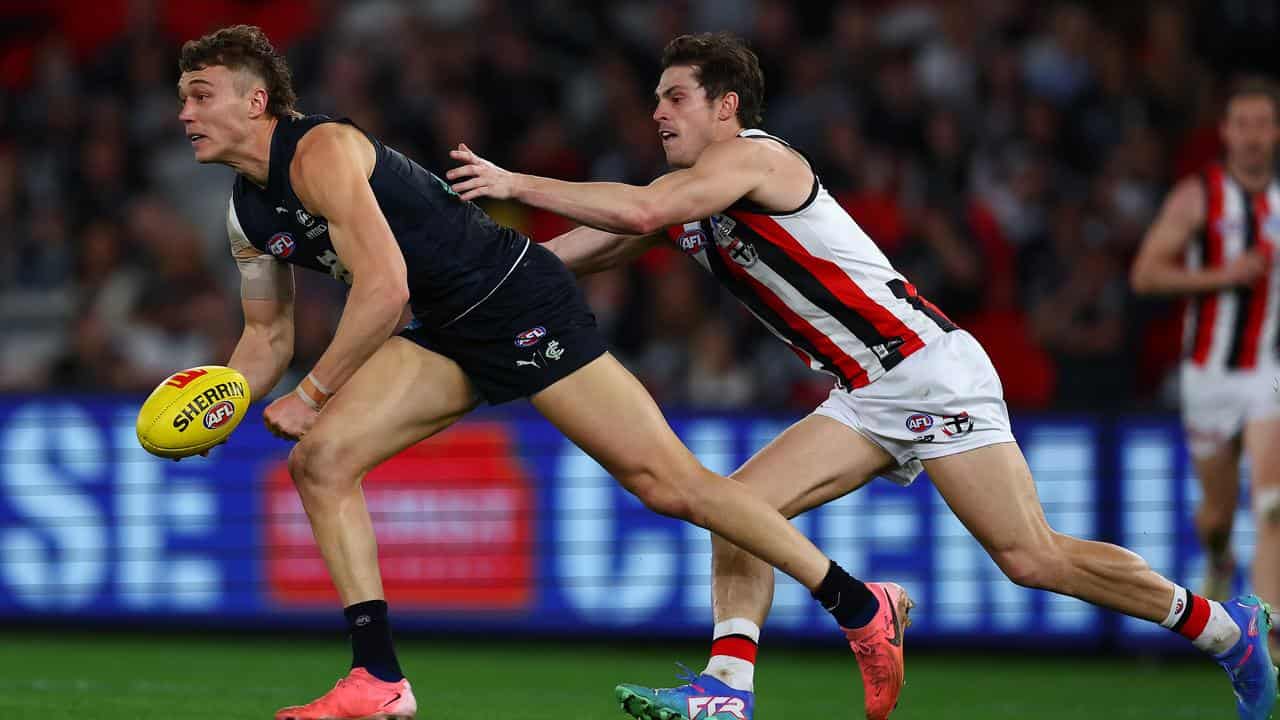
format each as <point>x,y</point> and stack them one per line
<point>245,48</point>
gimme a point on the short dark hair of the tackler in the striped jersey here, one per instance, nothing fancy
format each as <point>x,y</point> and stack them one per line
<point>723,63</point>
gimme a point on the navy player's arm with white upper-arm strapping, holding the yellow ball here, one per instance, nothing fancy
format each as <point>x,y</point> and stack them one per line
<point>267,297</point>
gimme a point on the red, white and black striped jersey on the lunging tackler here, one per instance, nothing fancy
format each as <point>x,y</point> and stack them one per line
<point>817,281</point>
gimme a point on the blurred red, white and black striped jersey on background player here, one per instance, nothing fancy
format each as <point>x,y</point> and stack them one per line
<point>1235,329</point>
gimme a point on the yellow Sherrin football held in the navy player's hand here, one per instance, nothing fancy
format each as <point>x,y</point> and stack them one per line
<point>193,411</point>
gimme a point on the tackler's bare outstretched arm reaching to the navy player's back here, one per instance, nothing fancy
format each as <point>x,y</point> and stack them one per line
<point>725,172</point>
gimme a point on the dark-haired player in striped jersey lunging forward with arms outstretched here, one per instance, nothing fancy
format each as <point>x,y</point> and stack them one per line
<point>911,388</point>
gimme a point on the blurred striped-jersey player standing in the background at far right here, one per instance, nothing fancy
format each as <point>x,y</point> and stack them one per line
<point>1214,241</point>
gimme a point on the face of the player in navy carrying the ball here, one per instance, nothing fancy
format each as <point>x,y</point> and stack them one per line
<point>214,112</point>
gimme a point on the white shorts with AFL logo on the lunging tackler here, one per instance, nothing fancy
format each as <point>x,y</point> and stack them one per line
<point>943,400</point>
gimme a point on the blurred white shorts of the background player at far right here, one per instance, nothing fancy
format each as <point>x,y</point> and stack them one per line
<point>1218,404</point>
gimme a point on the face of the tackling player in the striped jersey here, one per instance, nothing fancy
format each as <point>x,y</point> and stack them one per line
<point>685,116</point>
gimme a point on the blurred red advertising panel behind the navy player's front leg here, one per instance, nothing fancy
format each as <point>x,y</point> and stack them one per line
<point>454,520</point>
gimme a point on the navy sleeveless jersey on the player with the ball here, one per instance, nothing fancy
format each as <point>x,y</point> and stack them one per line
<point>456,256</point>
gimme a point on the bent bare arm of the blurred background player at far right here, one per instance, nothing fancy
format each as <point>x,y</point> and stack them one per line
<point>1159,268</point>
